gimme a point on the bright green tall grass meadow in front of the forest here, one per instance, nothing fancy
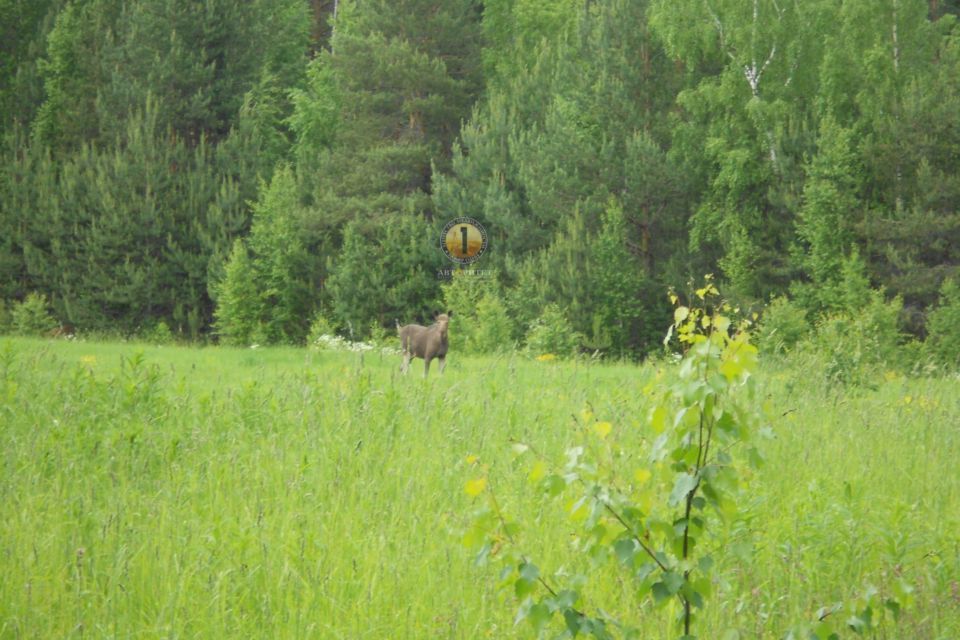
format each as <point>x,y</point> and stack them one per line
<point>173,492</point>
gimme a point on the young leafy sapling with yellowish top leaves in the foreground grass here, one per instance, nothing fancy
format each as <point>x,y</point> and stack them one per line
<point>657,527</point>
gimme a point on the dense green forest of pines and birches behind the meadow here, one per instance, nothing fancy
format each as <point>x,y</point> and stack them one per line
<point>242,169</point>
